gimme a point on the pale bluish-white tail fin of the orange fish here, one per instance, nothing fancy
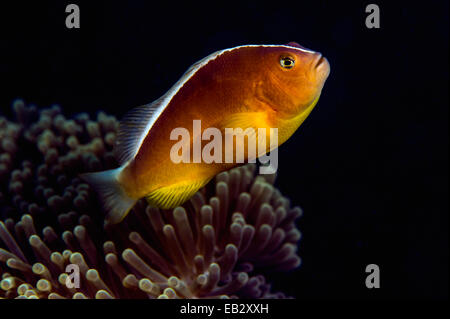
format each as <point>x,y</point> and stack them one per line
<point>114,199</point>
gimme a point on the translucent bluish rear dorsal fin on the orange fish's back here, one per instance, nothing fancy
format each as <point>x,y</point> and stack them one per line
<point>133,129</point>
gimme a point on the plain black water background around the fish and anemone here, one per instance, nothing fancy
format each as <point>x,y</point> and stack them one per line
<point>369,165</point>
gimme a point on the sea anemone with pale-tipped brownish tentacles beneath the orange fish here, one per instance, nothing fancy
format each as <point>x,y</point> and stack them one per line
<point>220,244</point>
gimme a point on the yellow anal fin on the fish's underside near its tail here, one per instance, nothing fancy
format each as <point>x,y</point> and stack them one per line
<point>169,197</point>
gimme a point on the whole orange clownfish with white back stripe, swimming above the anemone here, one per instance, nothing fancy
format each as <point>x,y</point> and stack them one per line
<point>249,86</point>
